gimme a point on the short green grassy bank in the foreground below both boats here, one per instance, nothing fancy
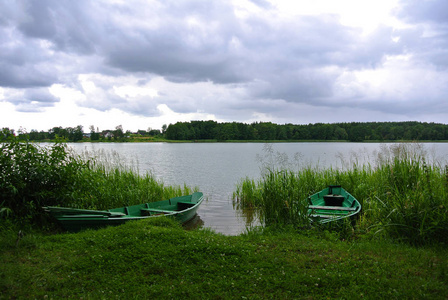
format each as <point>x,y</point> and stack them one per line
<point>158,259</point>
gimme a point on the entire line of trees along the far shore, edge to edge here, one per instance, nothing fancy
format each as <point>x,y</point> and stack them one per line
<point>257,131</point>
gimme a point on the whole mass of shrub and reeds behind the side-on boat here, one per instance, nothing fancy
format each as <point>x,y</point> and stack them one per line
<point>33,176</point>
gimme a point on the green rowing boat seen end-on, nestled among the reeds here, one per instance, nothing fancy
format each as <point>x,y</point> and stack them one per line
<point>331,204</point>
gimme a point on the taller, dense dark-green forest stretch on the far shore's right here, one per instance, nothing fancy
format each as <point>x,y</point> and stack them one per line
<point>354,131</point>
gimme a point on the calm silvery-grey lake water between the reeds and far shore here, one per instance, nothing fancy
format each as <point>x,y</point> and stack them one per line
<point>216,168</point>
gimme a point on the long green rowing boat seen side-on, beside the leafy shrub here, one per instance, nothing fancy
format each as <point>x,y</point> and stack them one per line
<point>181,208</point>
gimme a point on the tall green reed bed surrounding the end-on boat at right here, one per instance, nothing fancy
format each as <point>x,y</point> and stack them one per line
<point>403,196</point>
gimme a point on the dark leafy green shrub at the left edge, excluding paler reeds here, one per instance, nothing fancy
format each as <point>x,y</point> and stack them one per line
<point>32,176</point>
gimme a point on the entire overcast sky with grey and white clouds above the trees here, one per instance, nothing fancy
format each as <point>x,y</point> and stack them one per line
<point>145,63</point>
